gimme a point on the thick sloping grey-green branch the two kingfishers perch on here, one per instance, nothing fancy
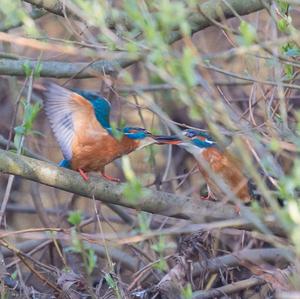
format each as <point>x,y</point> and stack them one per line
<point>152,201</point>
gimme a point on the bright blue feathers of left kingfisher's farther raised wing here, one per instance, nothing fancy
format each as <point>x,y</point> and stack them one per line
<point>101,106</point>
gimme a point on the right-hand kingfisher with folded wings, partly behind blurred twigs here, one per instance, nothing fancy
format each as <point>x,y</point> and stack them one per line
<point>222,163</point>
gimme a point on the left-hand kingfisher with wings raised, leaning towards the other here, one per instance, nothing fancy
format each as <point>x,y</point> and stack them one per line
<point>80,123</point>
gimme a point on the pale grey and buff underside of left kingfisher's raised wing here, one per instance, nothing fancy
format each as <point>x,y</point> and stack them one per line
<point>62,106</point>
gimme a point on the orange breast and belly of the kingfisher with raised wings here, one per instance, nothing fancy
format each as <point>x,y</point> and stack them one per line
<point>93,147</point>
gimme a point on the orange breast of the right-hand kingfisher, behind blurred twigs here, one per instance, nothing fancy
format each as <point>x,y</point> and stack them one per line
<point>226,167</point>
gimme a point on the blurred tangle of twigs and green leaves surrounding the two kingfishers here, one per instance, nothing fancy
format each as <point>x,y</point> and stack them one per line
<point>227,67</point>
